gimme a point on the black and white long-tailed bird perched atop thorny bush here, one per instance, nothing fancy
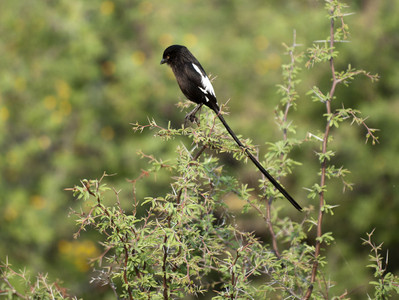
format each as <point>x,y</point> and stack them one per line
<point>196,86</point>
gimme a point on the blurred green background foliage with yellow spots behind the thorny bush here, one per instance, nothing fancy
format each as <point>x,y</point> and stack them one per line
<point>74,74</point>
